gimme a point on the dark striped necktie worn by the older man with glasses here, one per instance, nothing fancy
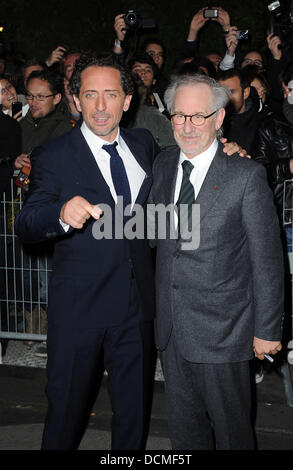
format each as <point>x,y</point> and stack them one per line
<point>186,197</point>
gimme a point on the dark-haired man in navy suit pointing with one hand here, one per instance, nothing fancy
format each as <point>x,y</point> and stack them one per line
<point>101,294</point>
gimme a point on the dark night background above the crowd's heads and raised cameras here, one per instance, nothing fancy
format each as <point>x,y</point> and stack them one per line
<point>36,27</point>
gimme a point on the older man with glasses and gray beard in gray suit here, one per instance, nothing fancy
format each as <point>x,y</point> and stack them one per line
<point>219,301</point>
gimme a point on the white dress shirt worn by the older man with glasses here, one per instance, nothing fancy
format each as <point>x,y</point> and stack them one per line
<point>201,165</point>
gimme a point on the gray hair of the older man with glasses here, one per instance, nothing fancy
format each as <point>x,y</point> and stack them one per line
<point>219,92</point>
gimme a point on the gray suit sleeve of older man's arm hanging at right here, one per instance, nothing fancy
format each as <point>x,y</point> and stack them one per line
<point>266,255</point>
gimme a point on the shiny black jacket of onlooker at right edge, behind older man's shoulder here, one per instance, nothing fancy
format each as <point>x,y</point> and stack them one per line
<point>273,147</point>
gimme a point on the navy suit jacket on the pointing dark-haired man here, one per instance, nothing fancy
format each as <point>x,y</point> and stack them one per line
<point>90,284</point>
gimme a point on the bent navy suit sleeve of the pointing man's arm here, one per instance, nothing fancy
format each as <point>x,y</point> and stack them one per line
<point>39,218</point>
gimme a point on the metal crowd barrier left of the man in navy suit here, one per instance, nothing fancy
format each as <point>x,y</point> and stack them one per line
<point>24,276</point>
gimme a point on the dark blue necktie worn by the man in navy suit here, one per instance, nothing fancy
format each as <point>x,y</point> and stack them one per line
<point>119,176</point>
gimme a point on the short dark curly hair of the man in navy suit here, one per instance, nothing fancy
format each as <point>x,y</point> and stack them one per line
<point>100,60</point>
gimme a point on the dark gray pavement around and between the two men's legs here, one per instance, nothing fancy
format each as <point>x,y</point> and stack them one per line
<point>23,407</point>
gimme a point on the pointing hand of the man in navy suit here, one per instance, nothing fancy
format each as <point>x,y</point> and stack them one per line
<point>77,211</point>
